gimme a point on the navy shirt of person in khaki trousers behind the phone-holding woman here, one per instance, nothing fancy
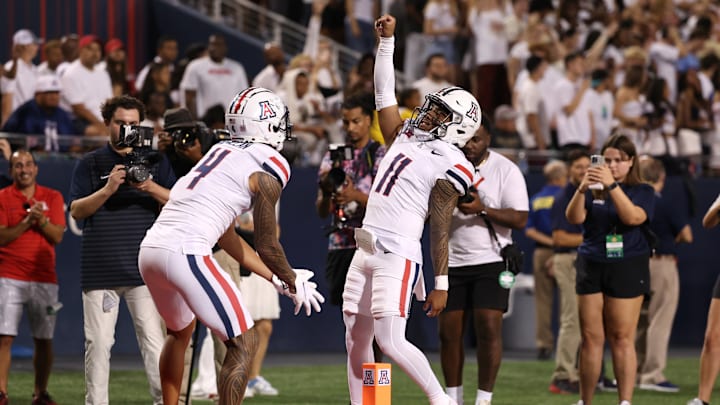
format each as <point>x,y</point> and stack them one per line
<point>667,223</point>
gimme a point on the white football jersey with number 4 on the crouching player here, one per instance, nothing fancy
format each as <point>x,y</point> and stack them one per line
<point>204,202</point>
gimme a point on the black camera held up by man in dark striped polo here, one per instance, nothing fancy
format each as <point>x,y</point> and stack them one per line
<point>138,161</point>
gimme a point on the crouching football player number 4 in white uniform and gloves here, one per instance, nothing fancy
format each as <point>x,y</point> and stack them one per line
<point>176,259</point>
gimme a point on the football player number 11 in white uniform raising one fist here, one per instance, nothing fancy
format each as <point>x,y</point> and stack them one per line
<point>422,174</point>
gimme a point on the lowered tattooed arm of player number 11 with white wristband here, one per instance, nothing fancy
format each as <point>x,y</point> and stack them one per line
<point>443,199</point>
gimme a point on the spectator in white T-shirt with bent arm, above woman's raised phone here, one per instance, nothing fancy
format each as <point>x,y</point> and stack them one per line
<point>573,116</point>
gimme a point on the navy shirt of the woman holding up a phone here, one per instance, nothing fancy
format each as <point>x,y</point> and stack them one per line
<point>602,220</point>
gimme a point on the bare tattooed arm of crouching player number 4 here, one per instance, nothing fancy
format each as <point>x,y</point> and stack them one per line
<point>267,190</point>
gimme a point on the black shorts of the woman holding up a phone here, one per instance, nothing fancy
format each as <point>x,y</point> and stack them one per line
<point>626,278</point>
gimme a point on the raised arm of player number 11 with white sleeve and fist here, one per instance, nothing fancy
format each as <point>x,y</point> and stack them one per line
<point>384,76</point>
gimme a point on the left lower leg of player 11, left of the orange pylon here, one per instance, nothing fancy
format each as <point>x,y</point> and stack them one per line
<point>358,342</point>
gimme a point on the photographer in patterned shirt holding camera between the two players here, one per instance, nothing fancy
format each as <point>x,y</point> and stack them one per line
<point>346,174</point>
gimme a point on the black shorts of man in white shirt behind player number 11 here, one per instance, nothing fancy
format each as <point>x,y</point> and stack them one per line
<point>477,287</point>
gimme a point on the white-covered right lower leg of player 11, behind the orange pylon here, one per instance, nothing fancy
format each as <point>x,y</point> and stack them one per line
<point>390,335</point>
